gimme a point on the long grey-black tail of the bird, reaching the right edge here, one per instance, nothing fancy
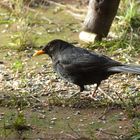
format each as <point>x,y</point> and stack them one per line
<point>125,68</point>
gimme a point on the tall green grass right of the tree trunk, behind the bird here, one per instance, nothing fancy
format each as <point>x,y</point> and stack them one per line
<point>126,29</point>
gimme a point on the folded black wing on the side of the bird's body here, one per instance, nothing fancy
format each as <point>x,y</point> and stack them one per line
<point>78,60</point>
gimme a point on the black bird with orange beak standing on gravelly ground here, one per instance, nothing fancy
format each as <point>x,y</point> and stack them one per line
<point>80,66</point>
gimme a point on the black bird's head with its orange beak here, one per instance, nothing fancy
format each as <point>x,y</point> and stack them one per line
<point>52,47</point>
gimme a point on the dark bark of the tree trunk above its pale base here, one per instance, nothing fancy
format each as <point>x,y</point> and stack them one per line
<point>100,16</point>
